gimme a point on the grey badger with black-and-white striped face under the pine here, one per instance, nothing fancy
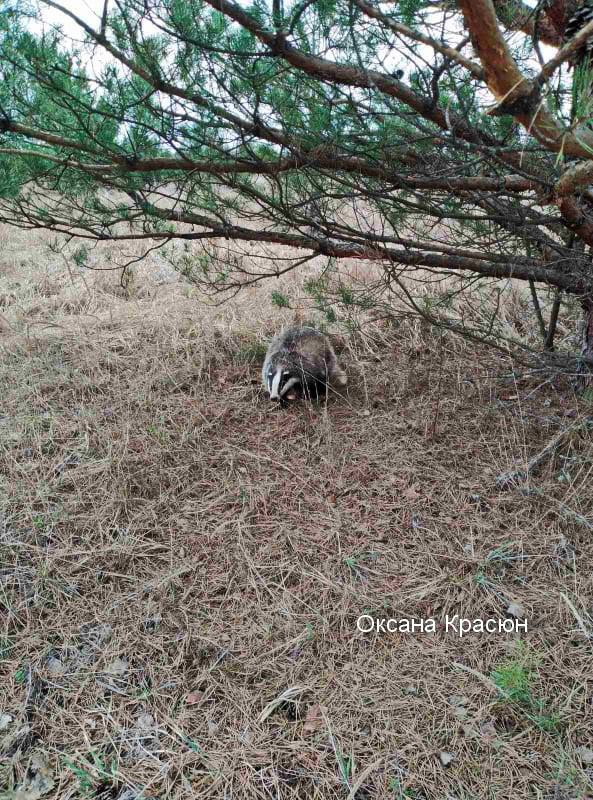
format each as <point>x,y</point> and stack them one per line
<point>300,362</point>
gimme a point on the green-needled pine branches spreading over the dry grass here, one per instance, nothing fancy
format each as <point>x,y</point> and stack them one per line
<point>338,129</point>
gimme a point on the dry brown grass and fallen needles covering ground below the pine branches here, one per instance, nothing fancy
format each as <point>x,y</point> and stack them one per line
<point>182,565</point>
